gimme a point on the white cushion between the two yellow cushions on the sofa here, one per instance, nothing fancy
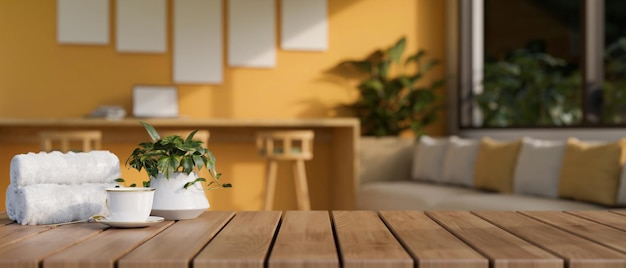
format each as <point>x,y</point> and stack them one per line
<point>538,167</point>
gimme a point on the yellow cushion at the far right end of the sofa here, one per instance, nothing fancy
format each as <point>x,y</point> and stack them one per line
<point>591,172</point>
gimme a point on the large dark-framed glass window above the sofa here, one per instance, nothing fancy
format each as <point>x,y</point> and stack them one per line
<point>541,63</point>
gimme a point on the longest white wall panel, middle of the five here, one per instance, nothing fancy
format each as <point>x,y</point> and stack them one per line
<point>198,41</point>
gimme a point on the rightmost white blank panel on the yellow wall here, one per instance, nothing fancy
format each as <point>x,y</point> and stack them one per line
<point>304,25</point>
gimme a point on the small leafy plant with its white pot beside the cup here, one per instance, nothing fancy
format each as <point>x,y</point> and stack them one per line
<point>172,164</point>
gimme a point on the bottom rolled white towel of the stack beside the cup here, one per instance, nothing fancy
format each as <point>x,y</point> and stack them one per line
<point>53,203</point>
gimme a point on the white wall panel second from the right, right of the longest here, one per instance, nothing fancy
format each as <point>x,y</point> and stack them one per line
<point>251,33</point>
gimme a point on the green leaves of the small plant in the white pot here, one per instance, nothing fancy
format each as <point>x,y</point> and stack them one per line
<point>171,154</point>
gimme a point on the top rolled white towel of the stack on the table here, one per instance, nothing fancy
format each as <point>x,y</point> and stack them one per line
<point>64,168</point>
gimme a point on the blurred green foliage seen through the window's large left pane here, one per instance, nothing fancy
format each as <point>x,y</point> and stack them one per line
<point>529,88</point>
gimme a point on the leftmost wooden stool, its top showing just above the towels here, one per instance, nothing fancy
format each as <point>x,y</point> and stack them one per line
<point>75,140</point>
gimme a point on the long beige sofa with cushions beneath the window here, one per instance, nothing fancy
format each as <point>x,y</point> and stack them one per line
<point>392,176</point>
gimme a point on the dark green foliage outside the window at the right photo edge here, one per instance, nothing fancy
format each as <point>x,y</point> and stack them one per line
<point>614,86</point>
